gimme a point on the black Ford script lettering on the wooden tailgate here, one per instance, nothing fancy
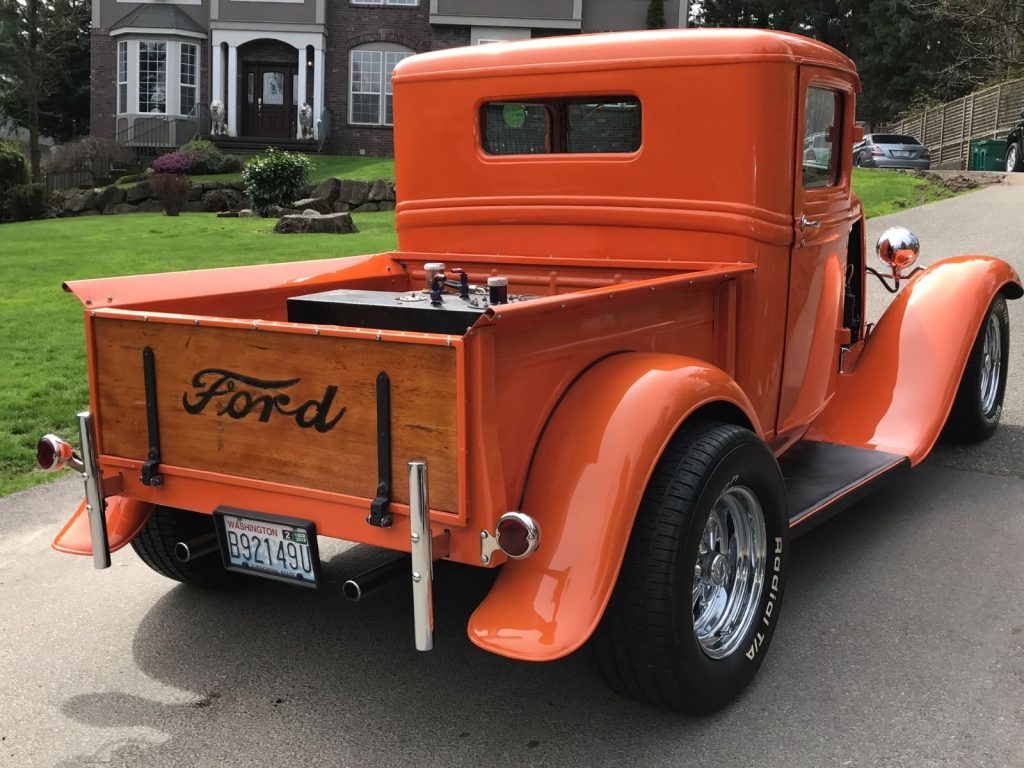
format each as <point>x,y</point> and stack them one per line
<point>225,390</point>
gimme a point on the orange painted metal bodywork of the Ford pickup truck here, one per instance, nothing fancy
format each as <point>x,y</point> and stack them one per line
<point>668,281</point>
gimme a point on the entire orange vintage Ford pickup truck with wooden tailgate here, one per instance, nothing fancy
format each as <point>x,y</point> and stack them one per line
<point>624,331</point>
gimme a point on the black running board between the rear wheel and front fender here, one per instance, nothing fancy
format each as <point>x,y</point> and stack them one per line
<point>824,479</point>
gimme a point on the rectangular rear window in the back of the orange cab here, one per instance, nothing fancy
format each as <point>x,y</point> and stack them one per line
<point>552,126</point>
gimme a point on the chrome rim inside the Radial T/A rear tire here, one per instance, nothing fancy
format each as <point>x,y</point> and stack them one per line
<point>730,573</point>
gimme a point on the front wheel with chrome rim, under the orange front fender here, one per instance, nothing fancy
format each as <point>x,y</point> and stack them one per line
<point>978,406</point>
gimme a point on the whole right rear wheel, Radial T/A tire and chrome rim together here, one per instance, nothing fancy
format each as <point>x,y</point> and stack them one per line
<point>701,588</point>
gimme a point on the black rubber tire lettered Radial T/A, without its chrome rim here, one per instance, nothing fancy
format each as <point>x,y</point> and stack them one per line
<point>648,646</point>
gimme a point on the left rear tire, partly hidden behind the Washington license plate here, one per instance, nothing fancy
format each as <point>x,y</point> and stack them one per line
<point>155,545</point>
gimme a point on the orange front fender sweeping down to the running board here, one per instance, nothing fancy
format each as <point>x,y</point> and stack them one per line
<point>900,395</point>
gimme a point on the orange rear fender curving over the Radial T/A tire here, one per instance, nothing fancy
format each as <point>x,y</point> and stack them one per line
<point>586,482</point>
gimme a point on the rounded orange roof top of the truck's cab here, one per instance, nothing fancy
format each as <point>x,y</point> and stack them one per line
<point>622,51</point>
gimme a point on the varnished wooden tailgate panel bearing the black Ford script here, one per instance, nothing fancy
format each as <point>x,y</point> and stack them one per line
<point>294,409</point>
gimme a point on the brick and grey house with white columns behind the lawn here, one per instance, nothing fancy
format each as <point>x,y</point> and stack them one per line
<point>157,66</point>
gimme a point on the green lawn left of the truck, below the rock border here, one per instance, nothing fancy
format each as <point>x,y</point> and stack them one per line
<point>44,376</point>
